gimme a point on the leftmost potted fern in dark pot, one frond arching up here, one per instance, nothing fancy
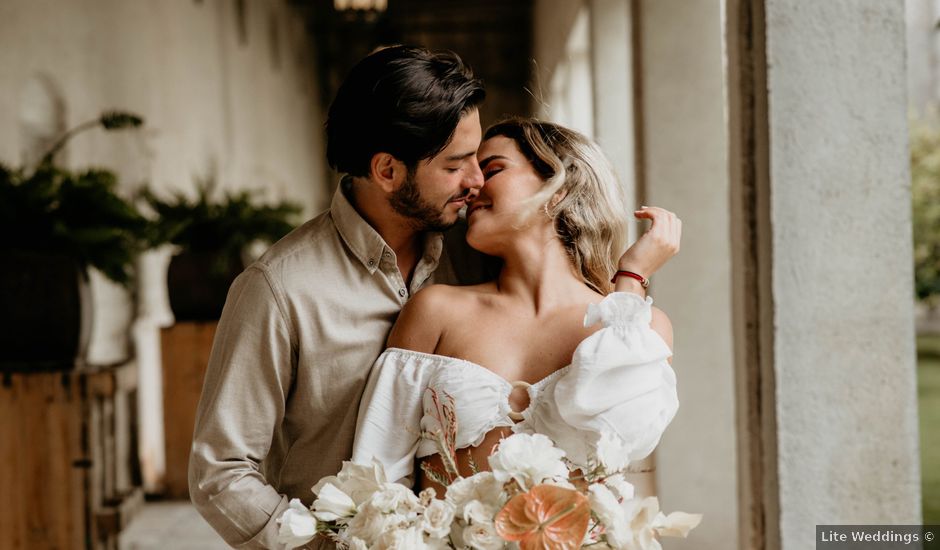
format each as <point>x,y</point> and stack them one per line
<point>55,224</point>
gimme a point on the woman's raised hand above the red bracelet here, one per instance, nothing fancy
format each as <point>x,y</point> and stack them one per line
<point>657,245</point>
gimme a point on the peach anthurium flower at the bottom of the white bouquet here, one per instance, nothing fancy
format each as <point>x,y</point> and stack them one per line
<point>546,517</point>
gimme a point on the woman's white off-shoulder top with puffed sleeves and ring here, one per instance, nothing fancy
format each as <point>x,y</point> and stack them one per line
<point>619,382</point>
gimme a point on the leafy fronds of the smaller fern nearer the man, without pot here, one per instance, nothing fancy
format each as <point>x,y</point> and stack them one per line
<point>223,226</point>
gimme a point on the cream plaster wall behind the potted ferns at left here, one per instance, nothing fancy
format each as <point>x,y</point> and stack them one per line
<point>211,105</point>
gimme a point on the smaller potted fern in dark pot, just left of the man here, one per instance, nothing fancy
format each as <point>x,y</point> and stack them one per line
<point>211,236</point>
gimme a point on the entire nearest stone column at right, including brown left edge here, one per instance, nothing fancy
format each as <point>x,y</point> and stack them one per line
<point>823,293</point>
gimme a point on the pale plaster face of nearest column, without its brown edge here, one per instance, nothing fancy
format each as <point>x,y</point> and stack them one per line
<point>842,281</point>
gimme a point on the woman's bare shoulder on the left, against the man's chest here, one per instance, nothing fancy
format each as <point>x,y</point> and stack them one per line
<point>427,314</point>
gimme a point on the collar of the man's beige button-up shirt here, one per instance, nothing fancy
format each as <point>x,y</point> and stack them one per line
<point>365,242</point>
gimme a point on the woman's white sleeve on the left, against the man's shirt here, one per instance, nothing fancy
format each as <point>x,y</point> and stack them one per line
<point>388,427</point>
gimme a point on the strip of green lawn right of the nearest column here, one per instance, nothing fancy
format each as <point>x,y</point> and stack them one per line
<point>928,392</point>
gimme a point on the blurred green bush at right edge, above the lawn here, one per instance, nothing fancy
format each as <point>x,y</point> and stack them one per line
<point>925,192</point>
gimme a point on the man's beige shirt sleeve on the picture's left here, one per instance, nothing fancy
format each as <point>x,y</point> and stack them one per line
<point>242,403</point>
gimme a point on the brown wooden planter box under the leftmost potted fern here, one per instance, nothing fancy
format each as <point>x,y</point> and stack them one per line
<point>69,452</point>
